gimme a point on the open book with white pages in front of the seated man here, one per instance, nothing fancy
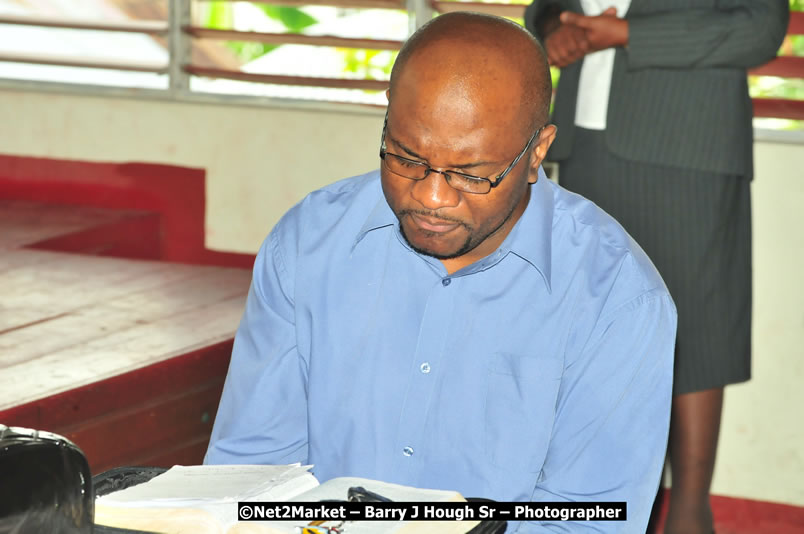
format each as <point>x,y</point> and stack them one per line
<point>203,500</point>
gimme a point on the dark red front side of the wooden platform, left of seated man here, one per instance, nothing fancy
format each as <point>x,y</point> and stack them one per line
<point>160,412</point>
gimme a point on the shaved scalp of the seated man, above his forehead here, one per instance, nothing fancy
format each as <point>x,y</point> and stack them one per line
<point>488,60</point>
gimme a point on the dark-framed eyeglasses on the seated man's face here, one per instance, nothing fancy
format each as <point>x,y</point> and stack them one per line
<point>417,170</point>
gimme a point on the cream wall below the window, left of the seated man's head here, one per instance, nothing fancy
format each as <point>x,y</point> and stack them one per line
<point>259,160</point>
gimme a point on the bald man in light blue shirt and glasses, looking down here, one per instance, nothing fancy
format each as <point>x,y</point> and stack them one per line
<point>455,320</point>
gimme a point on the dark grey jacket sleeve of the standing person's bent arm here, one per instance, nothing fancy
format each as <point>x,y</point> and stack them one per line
<point>737,34</point>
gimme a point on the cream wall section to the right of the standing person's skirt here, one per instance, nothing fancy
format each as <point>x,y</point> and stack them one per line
<point>762,441</point>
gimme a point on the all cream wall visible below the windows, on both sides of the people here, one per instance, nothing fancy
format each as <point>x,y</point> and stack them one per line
<point>260,160</point>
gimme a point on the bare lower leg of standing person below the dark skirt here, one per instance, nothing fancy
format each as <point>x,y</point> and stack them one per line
<point>694,428</point>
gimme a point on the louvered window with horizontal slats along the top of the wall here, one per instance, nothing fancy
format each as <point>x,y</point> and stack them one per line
<point>338,51</point>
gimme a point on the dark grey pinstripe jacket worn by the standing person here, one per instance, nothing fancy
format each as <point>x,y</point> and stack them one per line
<point>679,94</point>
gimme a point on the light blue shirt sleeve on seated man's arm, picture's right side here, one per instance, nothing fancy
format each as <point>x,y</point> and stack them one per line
<point>612,418</point>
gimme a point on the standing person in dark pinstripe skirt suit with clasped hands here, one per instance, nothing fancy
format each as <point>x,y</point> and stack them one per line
<point>654,123</point>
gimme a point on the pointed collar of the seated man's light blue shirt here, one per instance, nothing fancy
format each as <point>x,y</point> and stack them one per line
<point>530,239</point>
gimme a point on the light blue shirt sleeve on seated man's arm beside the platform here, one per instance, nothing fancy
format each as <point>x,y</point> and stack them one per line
<point>262,416</point>
